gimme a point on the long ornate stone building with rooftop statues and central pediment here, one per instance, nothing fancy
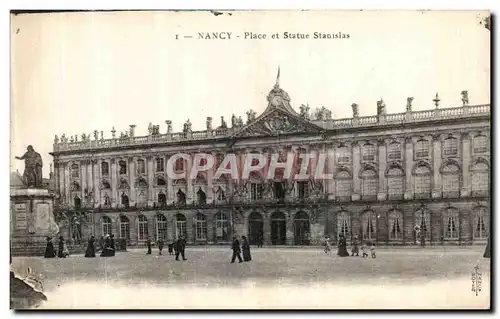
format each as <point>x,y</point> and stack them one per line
<point>391,172</point>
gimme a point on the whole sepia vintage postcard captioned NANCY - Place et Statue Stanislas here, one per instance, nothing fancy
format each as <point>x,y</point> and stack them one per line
<point>250,160</point>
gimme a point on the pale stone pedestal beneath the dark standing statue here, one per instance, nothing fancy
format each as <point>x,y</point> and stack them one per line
<point>31,220</point>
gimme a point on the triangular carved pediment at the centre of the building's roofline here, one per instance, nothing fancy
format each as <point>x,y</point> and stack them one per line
<point>277,122</point>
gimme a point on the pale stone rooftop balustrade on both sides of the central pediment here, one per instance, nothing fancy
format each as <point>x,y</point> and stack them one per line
<point>365,121</point>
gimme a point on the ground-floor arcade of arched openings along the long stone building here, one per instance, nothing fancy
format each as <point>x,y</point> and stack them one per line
<point>455,223</point>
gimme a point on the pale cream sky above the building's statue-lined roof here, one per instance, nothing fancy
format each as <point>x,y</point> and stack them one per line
<point>76,72</point>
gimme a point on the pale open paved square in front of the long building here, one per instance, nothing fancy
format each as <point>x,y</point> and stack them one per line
<point>286,277</point>
